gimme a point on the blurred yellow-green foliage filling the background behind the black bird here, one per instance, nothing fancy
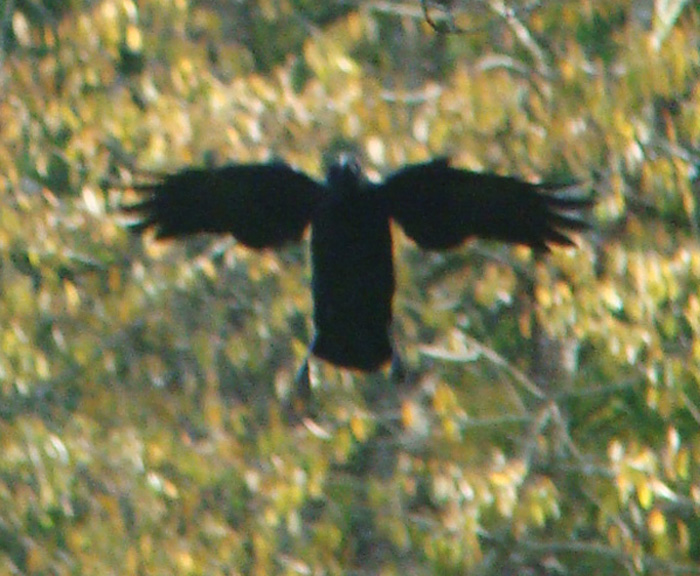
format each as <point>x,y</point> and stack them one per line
<point>550,423</point>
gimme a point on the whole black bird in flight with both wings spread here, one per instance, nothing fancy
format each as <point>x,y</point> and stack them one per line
<point>438,206</point>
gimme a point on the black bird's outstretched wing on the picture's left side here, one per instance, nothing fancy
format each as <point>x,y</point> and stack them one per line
<point>261,205</point>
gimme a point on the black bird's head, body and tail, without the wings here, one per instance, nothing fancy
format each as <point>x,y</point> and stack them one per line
<point>353,274</point>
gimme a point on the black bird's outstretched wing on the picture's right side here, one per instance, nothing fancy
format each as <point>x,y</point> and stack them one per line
<point>439,207</point>
